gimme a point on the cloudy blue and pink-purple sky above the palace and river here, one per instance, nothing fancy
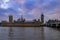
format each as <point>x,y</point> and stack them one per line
<point>30,9</point>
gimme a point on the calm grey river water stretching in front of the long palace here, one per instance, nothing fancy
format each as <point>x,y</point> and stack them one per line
<point>29,33</point>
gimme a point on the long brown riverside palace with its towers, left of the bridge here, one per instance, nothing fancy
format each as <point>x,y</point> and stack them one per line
<point>22,22</point>
